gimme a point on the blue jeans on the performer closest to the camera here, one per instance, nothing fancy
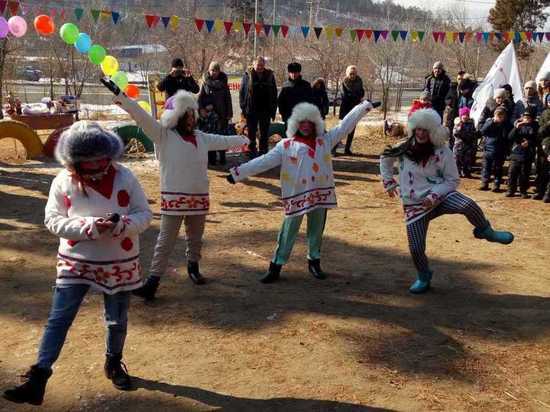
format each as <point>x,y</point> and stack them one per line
<point>65,305</point>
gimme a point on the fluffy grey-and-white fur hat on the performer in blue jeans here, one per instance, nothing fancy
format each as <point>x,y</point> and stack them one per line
<point>87,141</point>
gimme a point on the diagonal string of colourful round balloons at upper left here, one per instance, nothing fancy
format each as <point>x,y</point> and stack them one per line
<point>82,42</point>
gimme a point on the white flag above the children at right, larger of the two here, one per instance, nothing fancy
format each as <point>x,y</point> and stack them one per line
<point>504,71</point>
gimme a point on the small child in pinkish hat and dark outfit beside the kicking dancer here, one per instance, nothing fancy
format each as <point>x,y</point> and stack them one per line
<point>465,145</point>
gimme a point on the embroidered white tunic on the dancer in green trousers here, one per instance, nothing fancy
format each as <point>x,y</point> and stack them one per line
<point>307,179</point>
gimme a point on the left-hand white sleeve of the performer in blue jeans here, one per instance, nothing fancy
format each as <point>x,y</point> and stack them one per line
<point>58,222</point>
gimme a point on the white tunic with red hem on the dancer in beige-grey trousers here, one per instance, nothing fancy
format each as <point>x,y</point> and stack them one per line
<point>183,162</point>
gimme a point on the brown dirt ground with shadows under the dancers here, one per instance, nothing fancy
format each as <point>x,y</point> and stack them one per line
<point>357,341</point>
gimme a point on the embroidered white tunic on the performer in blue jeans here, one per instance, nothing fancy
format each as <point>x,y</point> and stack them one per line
<point>108,261</point>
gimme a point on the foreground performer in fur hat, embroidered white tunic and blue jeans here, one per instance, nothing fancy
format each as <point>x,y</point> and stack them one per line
<point>97,208</point>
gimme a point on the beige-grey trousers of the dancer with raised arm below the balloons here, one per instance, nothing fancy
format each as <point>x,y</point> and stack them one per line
<point>169,230</point>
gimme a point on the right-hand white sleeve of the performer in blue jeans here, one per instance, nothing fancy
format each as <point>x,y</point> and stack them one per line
<point>139,215</point>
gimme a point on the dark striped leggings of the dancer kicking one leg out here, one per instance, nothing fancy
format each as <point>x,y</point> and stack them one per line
<point>455,203</point>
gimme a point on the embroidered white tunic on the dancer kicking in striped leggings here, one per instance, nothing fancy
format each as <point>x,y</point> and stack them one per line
<point>437,179</point>
